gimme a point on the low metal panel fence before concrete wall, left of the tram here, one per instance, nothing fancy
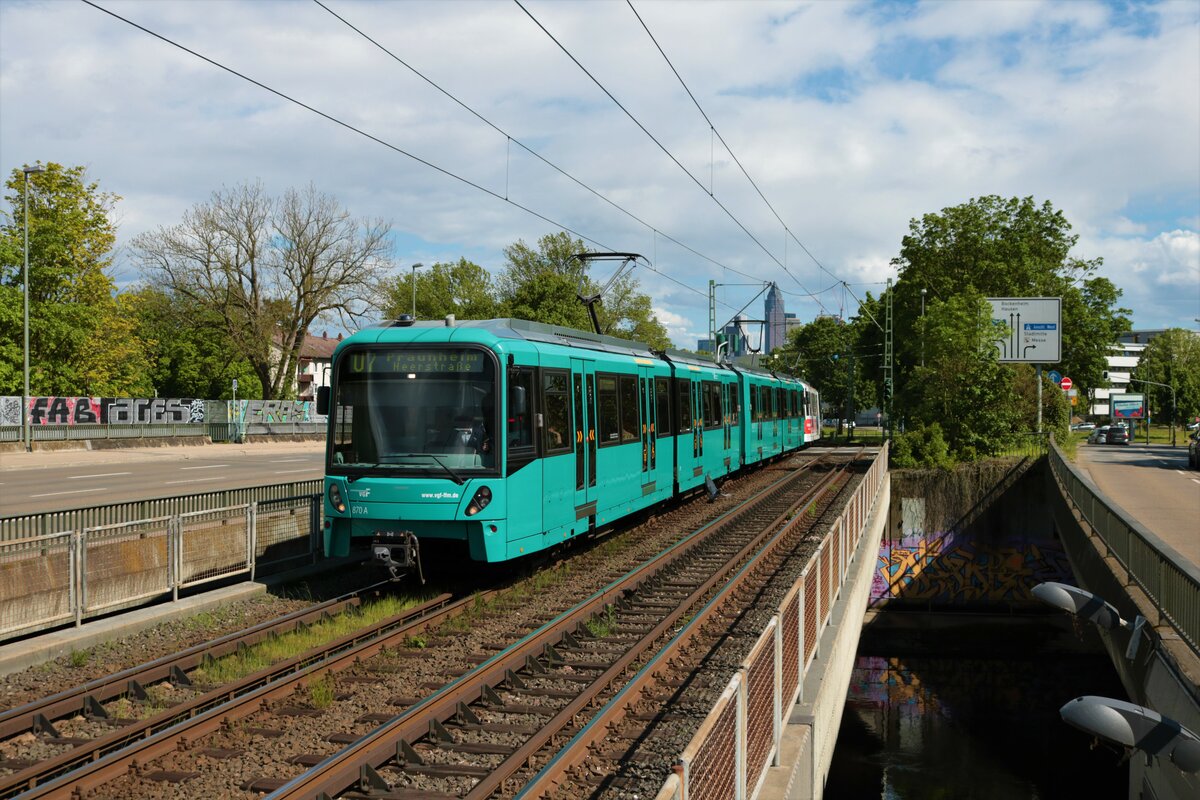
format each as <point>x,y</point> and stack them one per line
<point>53,579</point>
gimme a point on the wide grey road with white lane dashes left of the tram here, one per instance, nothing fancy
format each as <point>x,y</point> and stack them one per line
<point>52,482</point>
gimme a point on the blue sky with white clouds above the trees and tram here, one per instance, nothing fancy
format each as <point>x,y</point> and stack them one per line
<point>851,119</point>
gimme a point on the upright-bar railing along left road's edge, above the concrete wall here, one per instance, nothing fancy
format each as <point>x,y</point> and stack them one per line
<point>55,522</point>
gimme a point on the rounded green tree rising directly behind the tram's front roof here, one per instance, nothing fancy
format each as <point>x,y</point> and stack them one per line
<point>464,290</point>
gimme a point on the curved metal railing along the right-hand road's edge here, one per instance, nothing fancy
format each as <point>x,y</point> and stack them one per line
<point>1172,584</point>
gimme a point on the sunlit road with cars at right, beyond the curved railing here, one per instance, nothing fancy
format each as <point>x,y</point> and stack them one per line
<point>1154,484</point>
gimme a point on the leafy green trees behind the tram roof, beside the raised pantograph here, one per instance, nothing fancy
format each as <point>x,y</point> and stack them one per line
<point>544,285</point>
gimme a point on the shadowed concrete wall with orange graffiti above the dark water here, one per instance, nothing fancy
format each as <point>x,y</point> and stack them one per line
<point>968,542</point>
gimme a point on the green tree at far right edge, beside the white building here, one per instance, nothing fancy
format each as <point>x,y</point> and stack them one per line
<point>1173,359</point>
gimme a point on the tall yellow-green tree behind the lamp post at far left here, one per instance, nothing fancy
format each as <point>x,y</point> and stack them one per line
<point>81,338</point>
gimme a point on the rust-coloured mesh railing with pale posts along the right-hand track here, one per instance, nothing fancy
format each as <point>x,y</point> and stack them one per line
<point>741,738</point>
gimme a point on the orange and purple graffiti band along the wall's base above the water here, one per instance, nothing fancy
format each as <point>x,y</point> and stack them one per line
<point>962,572</point>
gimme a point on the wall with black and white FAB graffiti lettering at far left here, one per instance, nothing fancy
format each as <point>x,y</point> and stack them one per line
<point>104,411</point>
